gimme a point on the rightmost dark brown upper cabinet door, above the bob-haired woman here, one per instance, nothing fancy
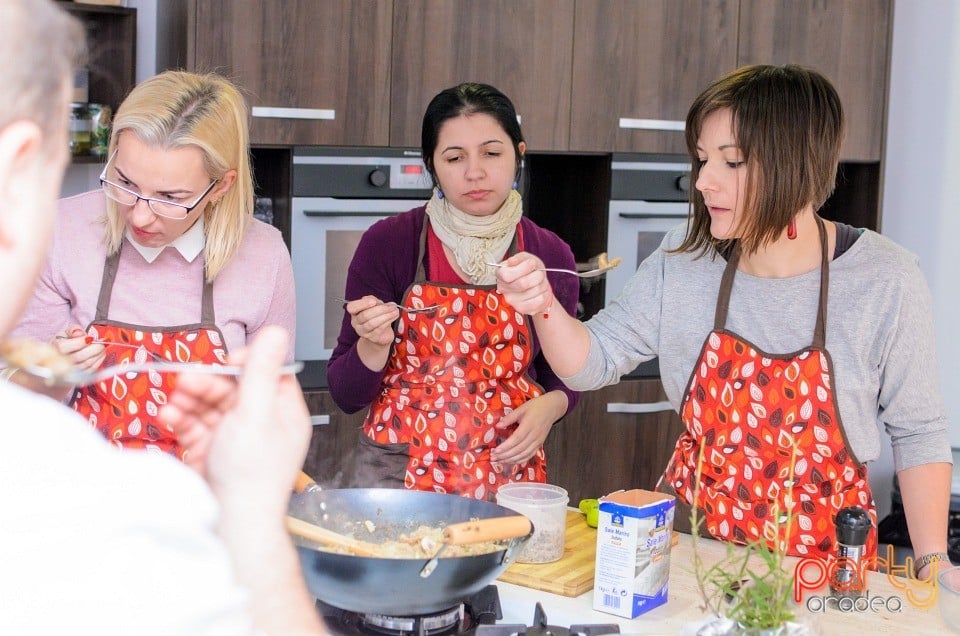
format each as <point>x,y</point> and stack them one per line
<point>845,40</point>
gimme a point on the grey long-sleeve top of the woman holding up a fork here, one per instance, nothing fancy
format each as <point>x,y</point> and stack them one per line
<point>880,336</point>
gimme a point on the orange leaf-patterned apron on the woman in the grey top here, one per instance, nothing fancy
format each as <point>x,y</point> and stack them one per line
<point>750,408</point>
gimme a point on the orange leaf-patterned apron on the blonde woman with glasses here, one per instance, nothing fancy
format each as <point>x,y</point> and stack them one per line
<point>124,407</point>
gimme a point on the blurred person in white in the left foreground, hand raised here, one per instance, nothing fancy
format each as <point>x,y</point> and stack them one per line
<point>94,540</point>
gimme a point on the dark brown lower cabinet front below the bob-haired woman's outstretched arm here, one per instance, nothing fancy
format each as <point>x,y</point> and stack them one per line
<point>618,437</point>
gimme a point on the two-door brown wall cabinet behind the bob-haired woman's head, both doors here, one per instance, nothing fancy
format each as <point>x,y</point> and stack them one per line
<point>649,60</point>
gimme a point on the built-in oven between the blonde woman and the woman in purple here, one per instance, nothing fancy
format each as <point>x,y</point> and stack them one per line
<point>337,194</point>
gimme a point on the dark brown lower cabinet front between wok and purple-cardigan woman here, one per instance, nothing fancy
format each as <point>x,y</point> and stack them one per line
<point>330,456</point>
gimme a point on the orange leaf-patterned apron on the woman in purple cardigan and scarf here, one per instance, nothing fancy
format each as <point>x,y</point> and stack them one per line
<point>453,373</point>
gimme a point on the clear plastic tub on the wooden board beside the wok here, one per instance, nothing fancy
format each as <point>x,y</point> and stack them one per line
<point>546,506</point>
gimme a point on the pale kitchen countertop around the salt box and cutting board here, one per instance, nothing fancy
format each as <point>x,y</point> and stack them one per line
<point>683,604</point>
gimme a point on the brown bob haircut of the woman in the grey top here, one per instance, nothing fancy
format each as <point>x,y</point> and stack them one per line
<point>788,124</point>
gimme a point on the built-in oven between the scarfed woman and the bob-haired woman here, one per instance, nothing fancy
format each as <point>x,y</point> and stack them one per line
<point>649,195</point>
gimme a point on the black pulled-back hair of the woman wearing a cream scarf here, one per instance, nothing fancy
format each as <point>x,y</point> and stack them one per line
<point>467,99</point>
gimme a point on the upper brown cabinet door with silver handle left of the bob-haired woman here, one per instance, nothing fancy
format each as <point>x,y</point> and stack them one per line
<point>637,67</point>
